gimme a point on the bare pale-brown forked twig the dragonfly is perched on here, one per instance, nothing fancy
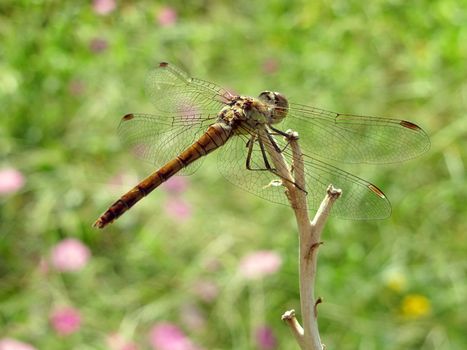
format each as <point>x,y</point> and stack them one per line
<point>309,239</point>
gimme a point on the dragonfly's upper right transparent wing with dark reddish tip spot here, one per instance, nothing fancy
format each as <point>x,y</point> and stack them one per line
<point>355,139</point>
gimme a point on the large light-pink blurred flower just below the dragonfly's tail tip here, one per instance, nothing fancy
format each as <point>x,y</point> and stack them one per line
<point>70,255</point>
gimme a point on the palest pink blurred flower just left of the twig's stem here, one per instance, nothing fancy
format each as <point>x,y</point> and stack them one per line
<point>260,264</point>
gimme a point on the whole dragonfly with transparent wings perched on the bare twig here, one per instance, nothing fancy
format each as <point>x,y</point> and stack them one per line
<point>196,117</point>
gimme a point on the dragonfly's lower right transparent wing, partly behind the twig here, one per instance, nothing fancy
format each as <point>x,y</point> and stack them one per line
<point>360,200</point>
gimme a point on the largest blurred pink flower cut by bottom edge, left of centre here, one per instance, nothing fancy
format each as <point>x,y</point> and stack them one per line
<point>167,336</point>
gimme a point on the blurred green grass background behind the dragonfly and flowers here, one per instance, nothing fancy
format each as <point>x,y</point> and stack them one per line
<point>61,102</point>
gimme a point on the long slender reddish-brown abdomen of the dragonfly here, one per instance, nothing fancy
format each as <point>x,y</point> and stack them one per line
<point>216,136</point>
